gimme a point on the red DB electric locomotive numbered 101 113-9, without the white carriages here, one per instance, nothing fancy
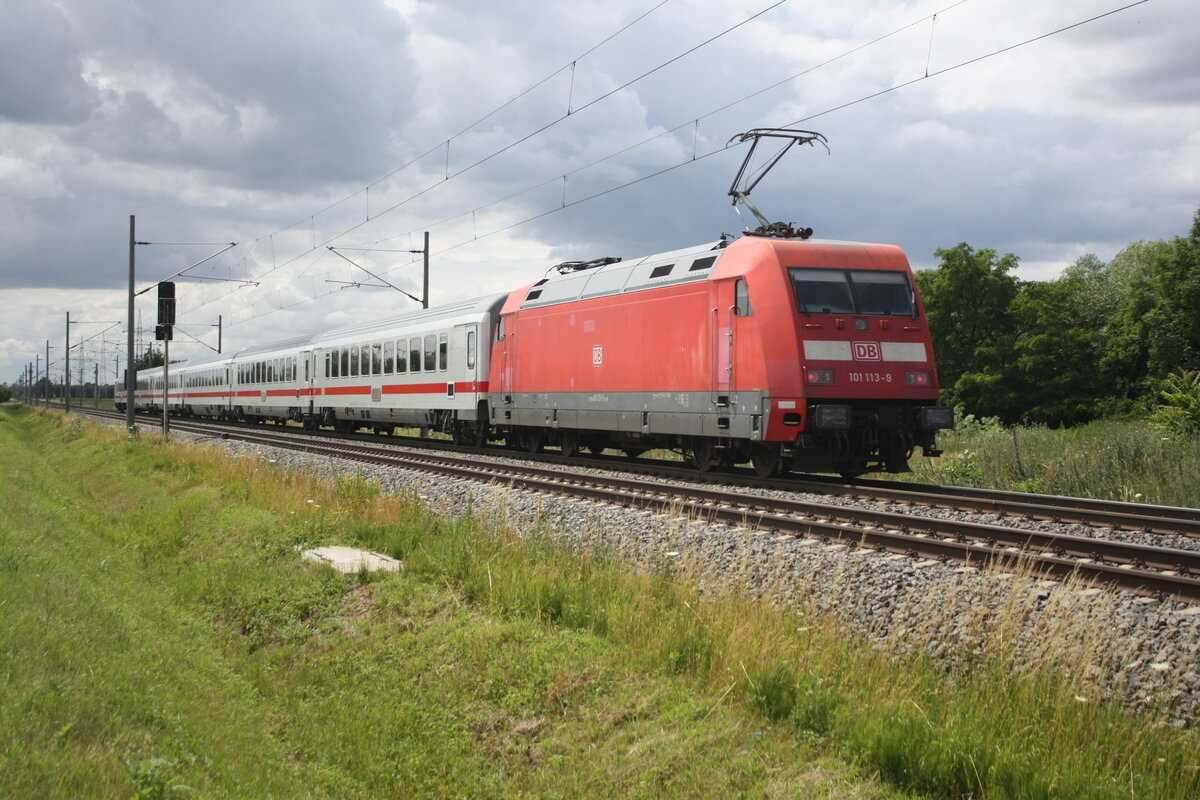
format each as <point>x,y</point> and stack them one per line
<point>785,353</point>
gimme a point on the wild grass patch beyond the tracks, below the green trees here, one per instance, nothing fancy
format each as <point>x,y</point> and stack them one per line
<point>1113,460</point>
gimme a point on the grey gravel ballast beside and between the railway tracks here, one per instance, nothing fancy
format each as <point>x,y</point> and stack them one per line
<point>1144,652</point>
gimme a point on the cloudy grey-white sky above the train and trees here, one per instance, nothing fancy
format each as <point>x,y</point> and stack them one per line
<point>523,134</point>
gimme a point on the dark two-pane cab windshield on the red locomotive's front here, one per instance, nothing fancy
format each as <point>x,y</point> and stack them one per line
<point>853,292</point>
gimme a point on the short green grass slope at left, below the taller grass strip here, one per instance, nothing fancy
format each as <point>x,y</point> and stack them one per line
<point>163,640</point>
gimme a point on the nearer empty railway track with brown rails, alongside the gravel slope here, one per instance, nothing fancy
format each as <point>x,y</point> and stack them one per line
<point>887,532</point>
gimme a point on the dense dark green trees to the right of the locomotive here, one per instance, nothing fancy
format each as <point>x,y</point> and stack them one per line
<point>1102,340</point>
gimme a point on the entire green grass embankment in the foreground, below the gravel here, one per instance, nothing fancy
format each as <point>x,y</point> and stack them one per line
<point>163,639</point>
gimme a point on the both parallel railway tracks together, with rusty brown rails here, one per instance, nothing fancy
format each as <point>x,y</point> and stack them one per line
<point>1138,568</point>
